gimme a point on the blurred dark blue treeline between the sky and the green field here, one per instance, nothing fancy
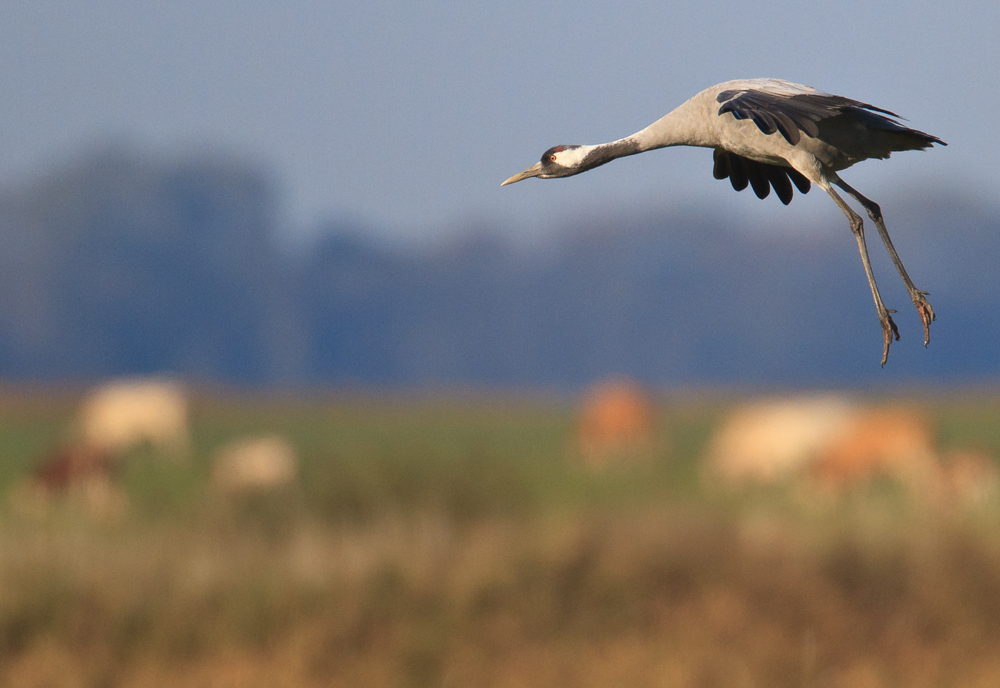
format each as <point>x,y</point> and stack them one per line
<point>119,263</point>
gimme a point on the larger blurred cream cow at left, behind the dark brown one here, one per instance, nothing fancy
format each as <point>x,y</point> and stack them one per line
<point>123,414</point>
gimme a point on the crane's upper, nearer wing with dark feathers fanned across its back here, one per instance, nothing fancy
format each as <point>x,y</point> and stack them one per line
<point>791,109</point>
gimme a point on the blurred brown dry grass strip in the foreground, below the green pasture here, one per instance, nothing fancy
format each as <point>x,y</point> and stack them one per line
<point>676,597</point>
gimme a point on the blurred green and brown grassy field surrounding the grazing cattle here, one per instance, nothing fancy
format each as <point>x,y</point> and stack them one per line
<point>455,540</point>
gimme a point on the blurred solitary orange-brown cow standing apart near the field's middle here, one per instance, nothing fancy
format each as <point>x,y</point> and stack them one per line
<point>615,422</point>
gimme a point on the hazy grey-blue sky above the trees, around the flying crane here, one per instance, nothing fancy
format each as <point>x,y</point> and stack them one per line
<point>405,117</point>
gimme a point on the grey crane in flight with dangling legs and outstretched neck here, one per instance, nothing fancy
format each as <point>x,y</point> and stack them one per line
<point>771,133</point>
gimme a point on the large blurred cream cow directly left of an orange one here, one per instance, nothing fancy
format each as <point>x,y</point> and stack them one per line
<point>773,440</point>
